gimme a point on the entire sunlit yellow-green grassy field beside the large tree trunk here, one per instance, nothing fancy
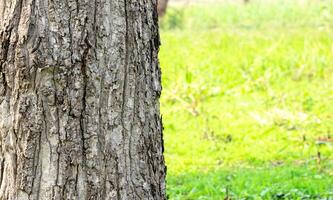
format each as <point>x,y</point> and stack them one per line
<point>247,100</point>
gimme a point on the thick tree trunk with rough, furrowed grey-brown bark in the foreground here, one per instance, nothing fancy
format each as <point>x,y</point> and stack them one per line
<point>79,100</point>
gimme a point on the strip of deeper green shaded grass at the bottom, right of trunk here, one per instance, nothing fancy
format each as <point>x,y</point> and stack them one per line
<point>286,182</point>
